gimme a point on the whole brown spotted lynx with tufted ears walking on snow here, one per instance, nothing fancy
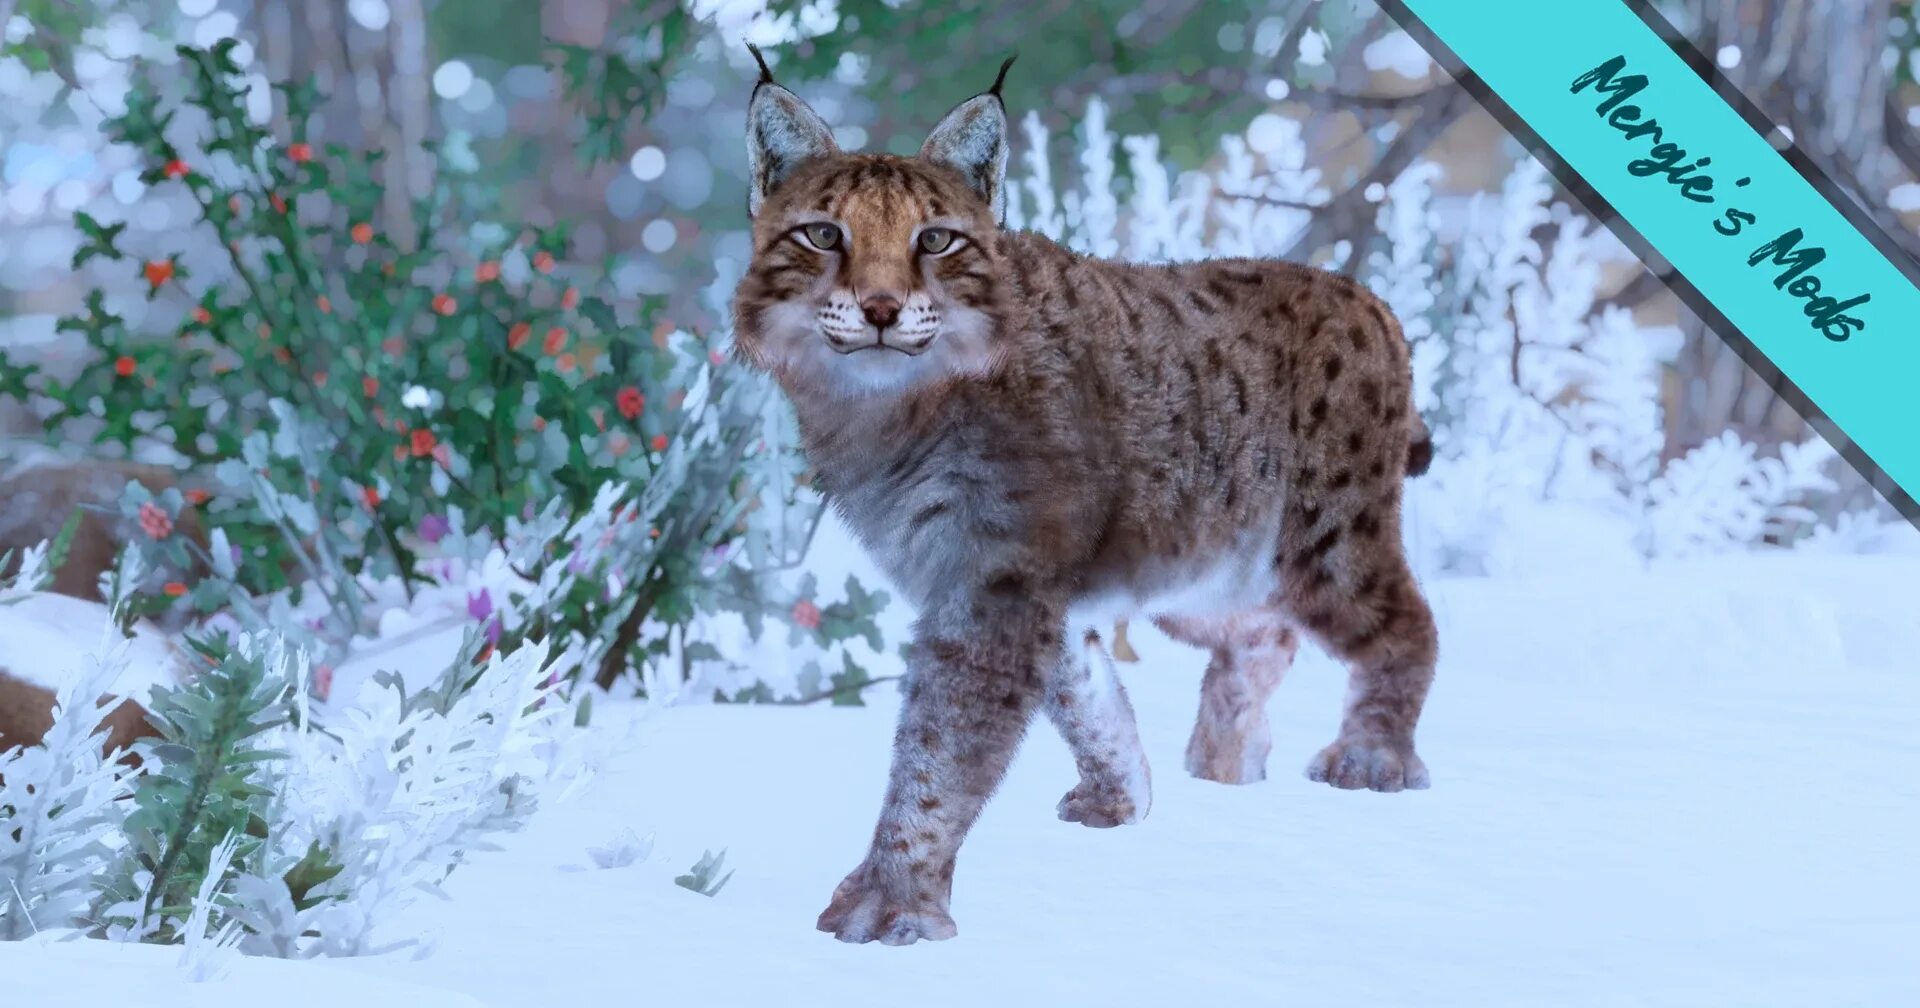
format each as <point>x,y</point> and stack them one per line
<point>1032,443</point>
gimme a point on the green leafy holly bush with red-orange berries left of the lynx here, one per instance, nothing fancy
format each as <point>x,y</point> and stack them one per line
<point>460,370</point>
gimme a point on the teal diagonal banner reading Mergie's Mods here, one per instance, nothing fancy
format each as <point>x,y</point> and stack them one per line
<point>1708,193</point>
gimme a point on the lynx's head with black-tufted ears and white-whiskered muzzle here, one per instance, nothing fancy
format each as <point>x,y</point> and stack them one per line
<point>871,274</point>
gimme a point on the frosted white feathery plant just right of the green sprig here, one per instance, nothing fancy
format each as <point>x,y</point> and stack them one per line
<point>396,792</point>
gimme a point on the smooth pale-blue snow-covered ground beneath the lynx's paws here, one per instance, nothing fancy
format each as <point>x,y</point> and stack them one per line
<point>1685,786</point>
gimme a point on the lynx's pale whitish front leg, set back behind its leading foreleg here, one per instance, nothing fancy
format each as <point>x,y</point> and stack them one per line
<point>1092,709</point>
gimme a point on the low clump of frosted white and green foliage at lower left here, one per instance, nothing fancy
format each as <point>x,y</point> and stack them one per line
<point>266,823</point>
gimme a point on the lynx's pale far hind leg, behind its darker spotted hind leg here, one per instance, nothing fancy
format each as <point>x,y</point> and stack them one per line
<point>1251,658</point>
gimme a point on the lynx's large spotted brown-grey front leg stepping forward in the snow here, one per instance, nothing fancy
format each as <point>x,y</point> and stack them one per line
<point>967,708</point>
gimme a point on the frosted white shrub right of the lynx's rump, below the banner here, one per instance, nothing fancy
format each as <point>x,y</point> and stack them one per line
<point>1541,404</point>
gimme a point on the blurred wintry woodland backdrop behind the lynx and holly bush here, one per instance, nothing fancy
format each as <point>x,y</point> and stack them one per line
<point>1581,412</point>
